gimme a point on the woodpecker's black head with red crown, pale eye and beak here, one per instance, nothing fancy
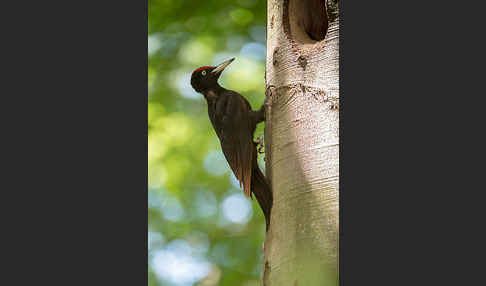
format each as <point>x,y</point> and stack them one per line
<point>204,78</point>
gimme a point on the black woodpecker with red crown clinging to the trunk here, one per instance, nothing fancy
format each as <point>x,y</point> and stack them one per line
<point>235,122</point>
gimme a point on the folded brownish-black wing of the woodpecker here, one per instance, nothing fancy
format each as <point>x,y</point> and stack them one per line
<point>236,136</point>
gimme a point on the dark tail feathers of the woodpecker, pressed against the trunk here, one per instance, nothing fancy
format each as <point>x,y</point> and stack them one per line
<point>262,192</point>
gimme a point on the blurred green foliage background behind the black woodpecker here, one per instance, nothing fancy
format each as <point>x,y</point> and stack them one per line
<point>198,231</point>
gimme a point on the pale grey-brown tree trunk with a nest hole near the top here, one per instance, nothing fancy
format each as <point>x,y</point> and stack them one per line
<point>302,142</point>
